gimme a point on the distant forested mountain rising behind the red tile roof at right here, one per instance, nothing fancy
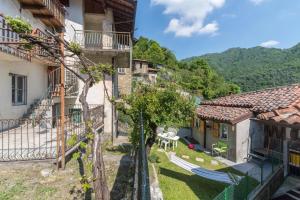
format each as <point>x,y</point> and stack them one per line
<point>256,68</point>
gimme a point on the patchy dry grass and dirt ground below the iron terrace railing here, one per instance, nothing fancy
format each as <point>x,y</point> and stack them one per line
<point>24,180</point>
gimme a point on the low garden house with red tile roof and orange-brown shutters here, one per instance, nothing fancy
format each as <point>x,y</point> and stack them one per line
<point>254,124</point>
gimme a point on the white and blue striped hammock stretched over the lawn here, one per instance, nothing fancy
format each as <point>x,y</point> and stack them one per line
<point>208,174</point>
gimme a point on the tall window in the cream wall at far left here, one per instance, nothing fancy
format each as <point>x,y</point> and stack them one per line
<point>19,89</point>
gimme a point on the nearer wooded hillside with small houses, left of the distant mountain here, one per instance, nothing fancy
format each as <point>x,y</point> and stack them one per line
<point>196,77</point>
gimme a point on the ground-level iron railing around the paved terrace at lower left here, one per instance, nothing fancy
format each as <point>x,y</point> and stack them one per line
<point>27,139</point>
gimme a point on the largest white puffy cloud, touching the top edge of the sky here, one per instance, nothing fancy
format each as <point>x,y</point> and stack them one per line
<point>189,16</point>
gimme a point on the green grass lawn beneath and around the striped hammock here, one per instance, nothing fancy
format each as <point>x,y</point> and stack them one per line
<point>177,183</point>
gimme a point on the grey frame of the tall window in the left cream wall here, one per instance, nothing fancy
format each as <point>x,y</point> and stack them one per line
<point>15,90</point>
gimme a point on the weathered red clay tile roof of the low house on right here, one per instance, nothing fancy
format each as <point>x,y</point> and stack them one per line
<point>268,104</point>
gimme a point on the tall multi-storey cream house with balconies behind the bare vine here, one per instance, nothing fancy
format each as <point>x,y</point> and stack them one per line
<point>104,30</point>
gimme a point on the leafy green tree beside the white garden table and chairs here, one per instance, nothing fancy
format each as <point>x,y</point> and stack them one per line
<point>160,106</point>
